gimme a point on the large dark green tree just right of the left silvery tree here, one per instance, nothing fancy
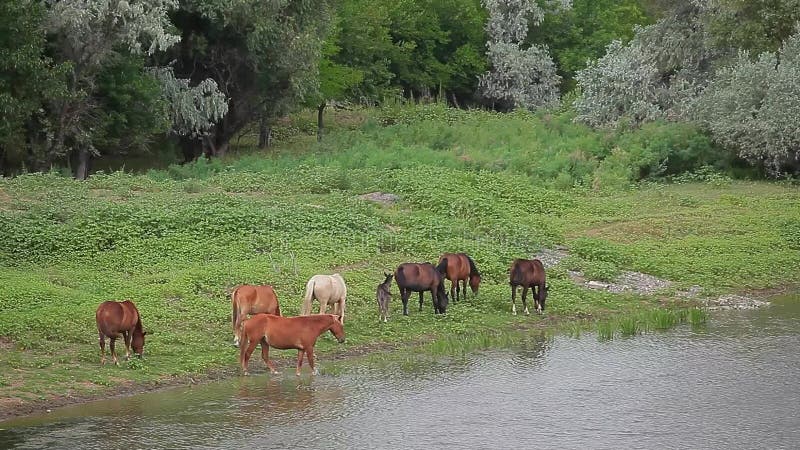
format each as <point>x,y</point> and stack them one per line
<point>264,57</point>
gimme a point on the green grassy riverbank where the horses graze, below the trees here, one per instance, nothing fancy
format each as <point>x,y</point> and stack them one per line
<point>176,241</point>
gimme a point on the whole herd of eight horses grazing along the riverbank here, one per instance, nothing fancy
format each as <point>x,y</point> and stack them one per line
<point>269,328</point>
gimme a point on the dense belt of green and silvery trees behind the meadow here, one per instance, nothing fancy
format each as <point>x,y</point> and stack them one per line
<point>88,79</point>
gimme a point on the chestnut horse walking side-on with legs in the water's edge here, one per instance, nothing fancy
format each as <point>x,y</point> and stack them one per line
<point>285,333</point>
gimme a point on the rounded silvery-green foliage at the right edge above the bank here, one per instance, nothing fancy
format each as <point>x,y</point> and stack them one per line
<point>753,107</point>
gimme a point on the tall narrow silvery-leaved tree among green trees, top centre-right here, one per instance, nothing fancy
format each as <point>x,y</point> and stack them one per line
<point>520,77</point>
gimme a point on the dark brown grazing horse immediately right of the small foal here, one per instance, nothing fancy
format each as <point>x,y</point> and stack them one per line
<point>421,277</point>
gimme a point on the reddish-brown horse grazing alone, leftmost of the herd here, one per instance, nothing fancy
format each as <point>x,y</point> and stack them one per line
<point>119,319</point>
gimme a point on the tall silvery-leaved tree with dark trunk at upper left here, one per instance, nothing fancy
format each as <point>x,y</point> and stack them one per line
<point>90,36</point>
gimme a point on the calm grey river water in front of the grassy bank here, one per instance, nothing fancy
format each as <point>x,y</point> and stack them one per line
<point>730,384</point>
